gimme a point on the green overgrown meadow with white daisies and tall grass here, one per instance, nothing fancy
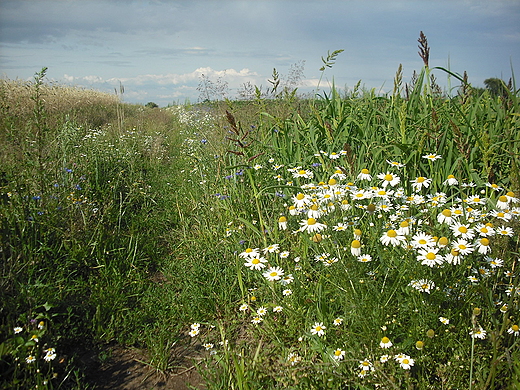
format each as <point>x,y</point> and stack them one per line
<point>343,241</point>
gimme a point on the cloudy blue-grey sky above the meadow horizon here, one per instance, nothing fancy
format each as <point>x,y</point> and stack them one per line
<point>159,50</point>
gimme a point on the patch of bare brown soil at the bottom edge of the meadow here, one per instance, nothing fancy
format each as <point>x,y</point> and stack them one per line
<point>126,369</point>
